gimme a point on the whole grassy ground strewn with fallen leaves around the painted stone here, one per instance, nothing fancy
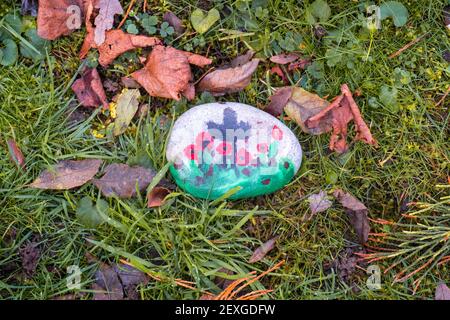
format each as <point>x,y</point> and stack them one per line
<point>378,204</point>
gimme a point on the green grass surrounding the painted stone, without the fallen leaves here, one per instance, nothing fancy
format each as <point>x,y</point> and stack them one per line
<point>193,239</point>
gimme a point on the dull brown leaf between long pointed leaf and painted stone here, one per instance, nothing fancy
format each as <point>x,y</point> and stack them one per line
<point>121,180</point>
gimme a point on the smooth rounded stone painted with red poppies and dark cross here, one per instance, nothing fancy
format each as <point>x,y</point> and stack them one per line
<point>216,147</point>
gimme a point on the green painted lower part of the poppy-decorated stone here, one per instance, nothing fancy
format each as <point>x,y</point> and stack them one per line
<point>255,182</point>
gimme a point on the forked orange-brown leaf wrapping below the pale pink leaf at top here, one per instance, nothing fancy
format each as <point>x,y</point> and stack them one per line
<point>116,41</point>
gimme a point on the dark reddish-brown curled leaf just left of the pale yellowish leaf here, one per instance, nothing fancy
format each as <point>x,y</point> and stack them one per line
<point>89,89</point>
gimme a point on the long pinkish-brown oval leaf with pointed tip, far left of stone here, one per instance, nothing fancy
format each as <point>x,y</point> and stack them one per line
<point>67,174</point>
